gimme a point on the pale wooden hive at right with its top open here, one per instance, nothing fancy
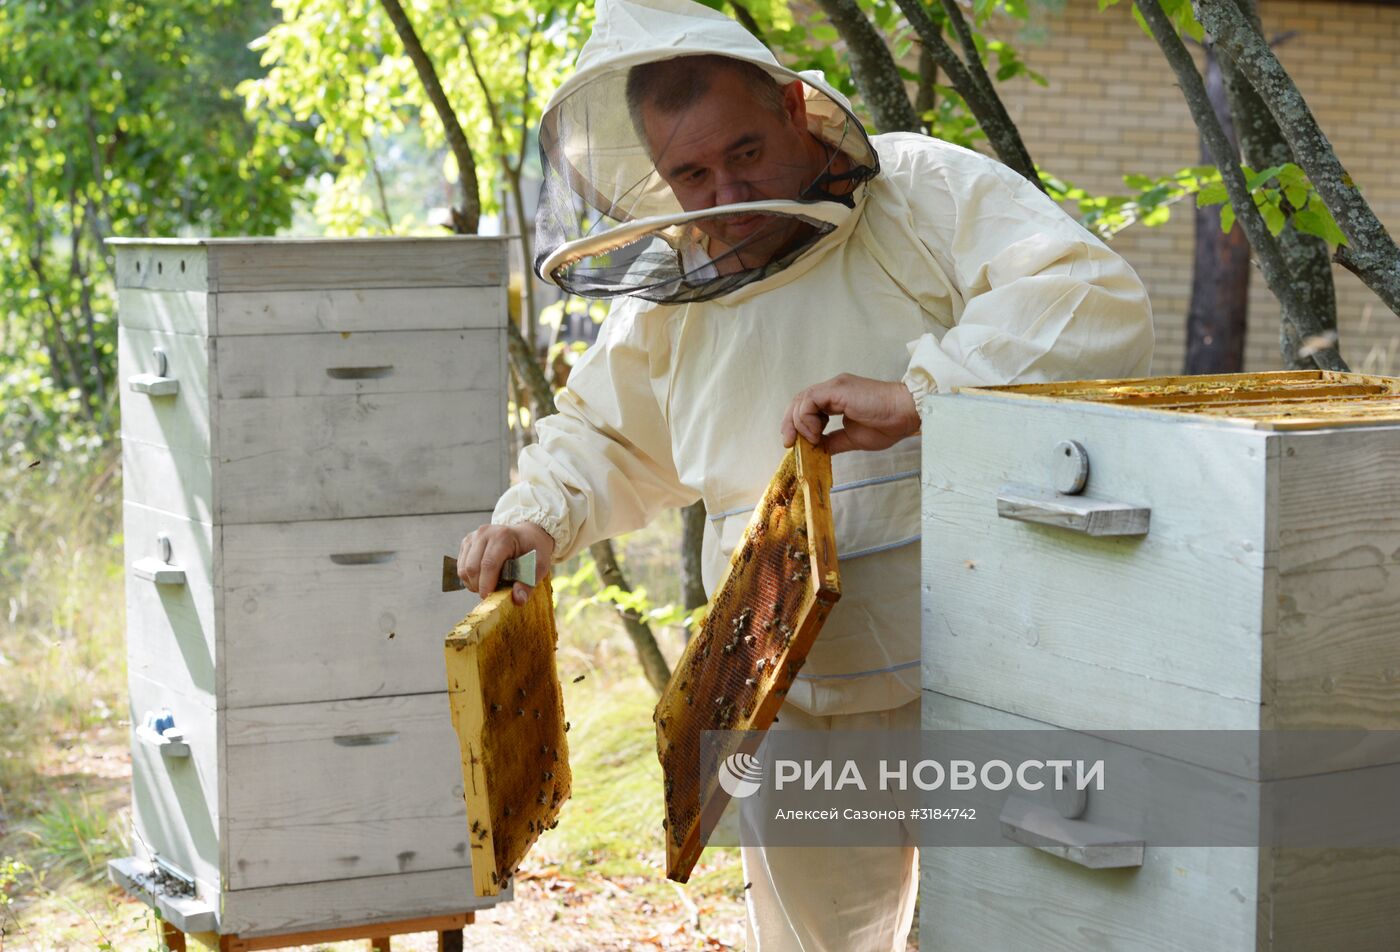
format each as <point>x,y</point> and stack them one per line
<point>1256,589</point>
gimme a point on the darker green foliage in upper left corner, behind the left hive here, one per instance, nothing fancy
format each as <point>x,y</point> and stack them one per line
<point>115,118</point>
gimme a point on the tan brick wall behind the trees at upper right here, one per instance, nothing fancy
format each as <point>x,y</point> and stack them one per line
<point>1112,107</point>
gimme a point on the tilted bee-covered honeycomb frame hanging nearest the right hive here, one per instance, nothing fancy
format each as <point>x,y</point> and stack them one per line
<point>761,624</point>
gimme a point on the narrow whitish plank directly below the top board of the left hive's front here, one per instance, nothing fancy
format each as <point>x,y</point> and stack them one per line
<point>360,310</point>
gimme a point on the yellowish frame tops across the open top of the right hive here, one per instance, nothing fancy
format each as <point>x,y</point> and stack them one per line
<point>1308,400</point>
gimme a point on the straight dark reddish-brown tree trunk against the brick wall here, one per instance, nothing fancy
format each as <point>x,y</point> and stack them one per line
<point>1217,318</point>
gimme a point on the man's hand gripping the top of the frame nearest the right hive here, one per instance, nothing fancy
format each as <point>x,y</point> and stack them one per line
<point>876,414</point>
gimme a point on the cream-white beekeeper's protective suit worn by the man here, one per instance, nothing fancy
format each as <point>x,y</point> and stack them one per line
<point>950,271</point>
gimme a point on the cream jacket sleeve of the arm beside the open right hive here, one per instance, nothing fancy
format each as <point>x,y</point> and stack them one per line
<point>1035,296</point>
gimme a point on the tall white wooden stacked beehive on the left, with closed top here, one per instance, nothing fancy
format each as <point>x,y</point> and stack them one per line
<point>307,429</point>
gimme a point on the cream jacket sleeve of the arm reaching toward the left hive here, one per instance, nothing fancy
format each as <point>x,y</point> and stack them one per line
<point>603,465</point>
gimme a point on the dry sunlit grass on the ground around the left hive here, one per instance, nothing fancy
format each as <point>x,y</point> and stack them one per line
<point>64,785</point>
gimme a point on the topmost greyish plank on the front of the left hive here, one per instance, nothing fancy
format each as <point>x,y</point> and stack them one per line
<point>310,264</point>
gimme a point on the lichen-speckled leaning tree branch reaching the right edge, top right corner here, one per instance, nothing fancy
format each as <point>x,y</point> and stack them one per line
<point>1373,253</point>
